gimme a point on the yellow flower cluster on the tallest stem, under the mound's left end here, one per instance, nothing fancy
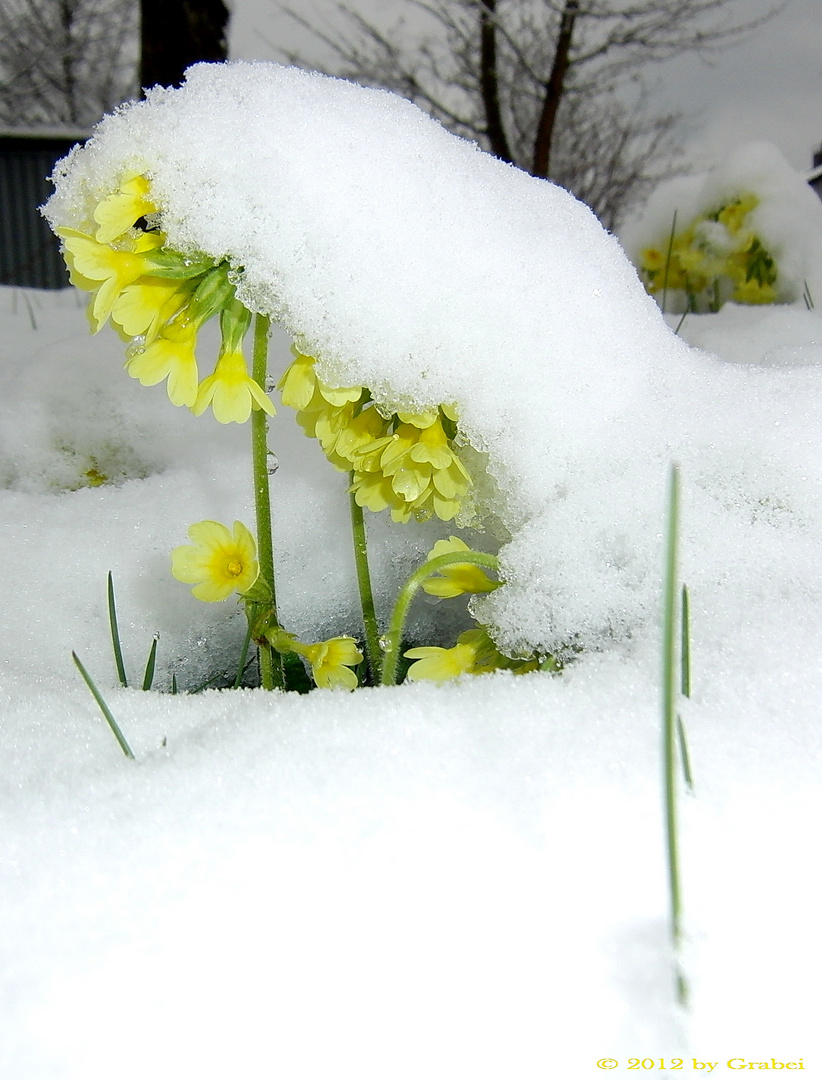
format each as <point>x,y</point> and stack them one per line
<point>158,300</point>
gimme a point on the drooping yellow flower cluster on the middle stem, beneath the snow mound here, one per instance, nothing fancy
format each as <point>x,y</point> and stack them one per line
<point>407,462</point>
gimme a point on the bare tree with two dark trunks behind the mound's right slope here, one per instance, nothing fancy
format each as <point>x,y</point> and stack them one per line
<point>551,86</point>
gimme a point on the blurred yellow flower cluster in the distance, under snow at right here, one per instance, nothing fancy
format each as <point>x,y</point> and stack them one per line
<point>717,259</point>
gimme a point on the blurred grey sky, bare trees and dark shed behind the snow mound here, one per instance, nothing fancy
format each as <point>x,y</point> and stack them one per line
<point>605,98</point>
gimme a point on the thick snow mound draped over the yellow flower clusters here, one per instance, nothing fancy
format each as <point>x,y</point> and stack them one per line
<point>410,263</point>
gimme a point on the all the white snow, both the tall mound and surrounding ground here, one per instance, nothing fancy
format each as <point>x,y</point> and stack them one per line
<point>452,882</point>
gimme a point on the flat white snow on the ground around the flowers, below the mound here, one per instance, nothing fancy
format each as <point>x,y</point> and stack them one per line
<point>460,883</point>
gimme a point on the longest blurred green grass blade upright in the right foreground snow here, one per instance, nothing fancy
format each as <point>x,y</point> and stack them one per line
<point>669,722</point>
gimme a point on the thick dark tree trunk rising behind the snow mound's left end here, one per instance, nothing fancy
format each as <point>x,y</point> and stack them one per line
<point>177,34</point>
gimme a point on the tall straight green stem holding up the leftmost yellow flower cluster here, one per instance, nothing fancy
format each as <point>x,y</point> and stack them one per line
<point>271,666</point>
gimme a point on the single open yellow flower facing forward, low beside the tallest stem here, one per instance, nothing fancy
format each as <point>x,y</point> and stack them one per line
<point>220,563</point>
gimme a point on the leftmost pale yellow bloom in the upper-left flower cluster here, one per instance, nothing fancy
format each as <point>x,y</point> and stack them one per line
<point>104,272</point>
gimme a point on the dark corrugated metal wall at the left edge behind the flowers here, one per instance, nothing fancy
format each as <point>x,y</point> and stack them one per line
<point>30,252</point>
